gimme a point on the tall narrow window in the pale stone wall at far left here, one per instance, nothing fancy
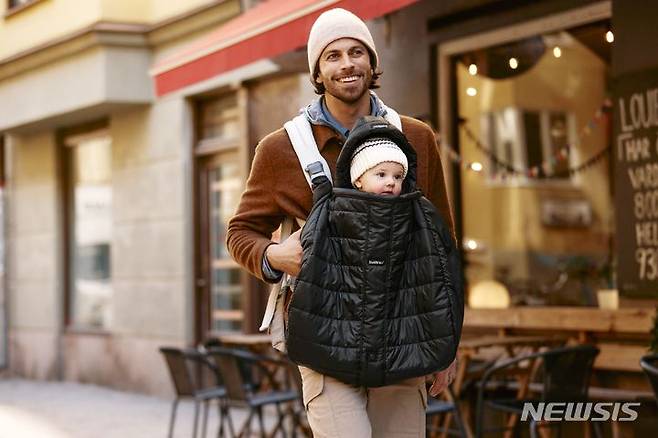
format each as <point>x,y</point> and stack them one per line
<point>89,193</point>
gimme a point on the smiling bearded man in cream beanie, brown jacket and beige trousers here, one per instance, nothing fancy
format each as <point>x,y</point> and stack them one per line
<point>343,66</point>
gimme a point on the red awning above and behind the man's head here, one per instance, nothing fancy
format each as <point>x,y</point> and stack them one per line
<point>272,28</point>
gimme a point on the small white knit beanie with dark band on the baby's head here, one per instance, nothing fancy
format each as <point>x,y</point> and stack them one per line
<point>373,152</point>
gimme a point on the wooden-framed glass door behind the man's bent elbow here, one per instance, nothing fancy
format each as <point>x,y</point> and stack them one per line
<point>221,285</point>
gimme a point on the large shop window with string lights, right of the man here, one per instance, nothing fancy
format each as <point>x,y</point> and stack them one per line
<point>533,148</point>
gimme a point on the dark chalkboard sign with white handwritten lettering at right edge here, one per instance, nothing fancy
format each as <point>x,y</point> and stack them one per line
<point>635,148</point>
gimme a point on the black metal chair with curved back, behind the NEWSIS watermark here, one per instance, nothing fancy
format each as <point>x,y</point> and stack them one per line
<point>565,373</point>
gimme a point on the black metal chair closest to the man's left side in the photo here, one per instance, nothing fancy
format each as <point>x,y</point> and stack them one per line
<point>270,382</point>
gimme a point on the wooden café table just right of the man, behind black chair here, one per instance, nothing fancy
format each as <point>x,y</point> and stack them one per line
<point>471,348</point>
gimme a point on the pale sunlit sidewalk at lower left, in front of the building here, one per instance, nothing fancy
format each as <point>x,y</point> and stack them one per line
<point>37,409</point>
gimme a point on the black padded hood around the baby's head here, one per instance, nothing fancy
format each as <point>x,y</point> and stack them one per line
<point>371,127</point>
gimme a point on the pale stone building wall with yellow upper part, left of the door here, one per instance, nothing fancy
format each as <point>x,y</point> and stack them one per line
<point>96,225</point>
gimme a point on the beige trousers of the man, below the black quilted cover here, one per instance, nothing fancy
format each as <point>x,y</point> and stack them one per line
<point>338,410</point>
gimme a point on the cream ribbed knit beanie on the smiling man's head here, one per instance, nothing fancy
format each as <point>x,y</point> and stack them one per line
<point>333,25</point>
